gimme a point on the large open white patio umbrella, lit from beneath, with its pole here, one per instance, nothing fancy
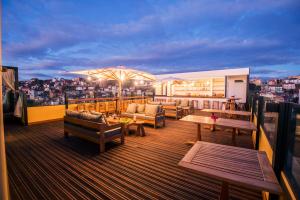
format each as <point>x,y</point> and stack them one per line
<point>119,73</point>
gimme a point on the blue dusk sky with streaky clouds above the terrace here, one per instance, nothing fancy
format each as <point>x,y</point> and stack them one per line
<point>46,38</point>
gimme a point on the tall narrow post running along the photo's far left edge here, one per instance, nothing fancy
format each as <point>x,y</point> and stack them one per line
<point>4,189</point>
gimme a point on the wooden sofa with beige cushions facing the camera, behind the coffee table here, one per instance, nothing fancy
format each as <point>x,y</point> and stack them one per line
<point>151,114</point>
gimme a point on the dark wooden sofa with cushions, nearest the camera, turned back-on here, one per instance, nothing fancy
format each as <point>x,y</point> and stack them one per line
<point>92,127</point>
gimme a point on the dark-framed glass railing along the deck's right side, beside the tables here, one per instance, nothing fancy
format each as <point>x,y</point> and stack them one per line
<point>277,125</point>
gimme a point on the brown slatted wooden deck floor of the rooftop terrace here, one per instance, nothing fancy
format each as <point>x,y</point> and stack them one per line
<point>44,165</point>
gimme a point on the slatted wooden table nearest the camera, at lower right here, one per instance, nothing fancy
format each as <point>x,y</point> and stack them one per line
<point>232,165</point>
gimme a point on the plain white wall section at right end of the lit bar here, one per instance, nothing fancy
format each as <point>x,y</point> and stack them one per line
<point>237,89</point>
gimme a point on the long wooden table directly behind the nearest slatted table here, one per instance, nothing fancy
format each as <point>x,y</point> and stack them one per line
<point>227,123</point>
